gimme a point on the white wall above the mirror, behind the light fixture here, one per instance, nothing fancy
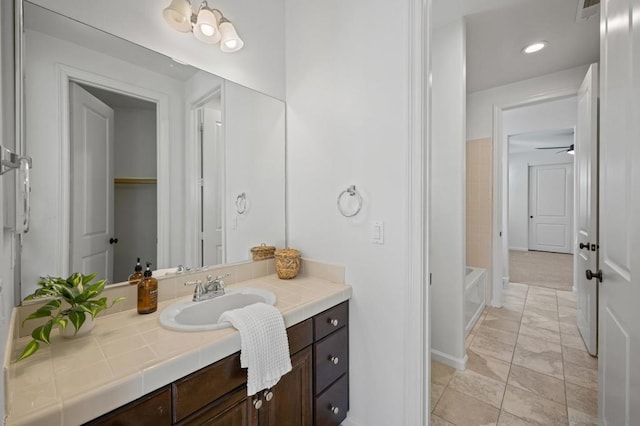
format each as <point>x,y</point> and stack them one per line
<point>259,65</point>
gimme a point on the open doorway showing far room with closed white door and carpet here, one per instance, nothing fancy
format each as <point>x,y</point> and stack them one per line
<point>539,139</point>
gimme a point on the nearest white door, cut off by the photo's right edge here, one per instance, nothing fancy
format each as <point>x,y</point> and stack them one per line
<point>619,255</point>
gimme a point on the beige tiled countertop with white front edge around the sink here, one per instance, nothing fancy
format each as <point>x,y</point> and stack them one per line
<point>128,355</point>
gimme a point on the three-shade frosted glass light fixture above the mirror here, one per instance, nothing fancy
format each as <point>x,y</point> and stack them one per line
<point>208,25</point>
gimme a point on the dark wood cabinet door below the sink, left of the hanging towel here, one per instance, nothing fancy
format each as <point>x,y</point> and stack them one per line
<point>234,409</point>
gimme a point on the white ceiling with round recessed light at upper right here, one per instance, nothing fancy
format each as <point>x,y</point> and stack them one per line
<point>497,30</point>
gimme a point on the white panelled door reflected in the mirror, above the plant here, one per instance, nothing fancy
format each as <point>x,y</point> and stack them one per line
<point>91,184</point>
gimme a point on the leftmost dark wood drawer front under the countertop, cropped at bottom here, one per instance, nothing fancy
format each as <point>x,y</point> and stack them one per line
<point>153,409</point>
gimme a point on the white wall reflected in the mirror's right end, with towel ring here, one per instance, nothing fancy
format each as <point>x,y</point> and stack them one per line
<point>255,161</point>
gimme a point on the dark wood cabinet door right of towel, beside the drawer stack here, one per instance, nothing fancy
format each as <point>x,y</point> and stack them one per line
<point>292,402</point>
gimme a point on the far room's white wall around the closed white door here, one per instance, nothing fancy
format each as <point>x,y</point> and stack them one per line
<point>519,192</point>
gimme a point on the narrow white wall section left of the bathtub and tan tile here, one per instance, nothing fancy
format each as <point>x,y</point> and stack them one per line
<point>448,247</point>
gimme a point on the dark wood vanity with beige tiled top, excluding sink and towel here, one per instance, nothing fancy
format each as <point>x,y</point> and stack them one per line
<point>130,370</point>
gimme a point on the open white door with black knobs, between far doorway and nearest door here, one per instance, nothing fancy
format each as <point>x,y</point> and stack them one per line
<point>586,165</point>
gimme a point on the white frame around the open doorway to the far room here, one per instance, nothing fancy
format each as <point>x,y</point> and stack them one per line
<point>500,240</point>
